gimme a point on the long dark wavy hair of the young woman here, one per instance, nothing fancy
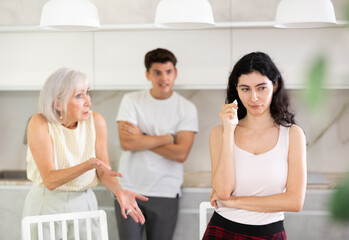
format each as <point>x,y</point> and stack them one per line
<point>262,63</point>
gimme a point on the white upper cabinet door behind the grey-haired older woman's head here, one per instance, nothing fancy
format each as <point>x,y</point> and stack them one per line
<point>27,59</point>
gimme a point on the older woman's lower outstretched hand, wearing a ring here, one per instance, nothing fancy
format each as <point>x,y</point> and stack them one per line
<point>129,206</point>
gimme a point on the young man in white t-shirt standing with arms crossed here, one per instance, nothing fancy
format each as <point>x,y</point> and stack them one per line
<point>156,130</point>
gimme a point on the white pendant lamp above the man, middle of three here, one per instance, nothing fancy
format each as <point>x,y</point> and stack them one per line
<point>184,14</point>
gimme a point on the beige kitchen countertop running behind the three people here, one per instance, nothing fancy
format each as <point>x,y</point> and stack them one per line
<point>203,179</point>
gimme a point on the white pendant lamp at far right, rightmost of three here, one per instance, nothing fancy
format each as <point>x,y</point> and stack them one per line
<point>305,14</point>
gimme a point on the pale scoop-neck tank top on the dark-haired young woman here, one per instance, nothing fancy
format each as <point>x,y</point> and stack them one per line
<point>259,175</point>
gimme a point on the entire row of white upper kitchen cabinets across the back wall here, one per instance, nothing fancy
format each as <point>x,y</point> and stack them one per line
<point>113,57</point>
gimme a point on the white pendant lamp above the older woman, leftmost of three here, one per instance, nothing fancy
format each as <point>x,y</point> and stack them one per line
<point>69,15</point>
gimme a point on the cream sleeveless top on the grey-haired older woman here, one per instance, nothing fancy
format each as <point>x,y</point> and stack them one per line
<point>71,147</point>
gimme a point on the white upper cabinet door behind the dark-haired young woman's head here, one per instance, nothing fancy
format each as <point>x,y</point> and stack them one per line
<point>293,51</point>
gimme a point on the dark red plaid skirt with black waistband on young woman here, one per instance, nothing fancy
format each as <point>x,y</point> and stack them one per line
<point>221,228</point>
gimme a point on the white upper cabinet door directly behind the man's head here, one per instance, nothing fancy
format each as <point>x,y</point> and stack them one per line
<point>203,57</point>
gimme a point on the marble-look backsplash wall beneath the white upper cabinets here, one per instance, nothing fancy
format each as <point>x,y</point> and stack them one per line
<point>326,129</point>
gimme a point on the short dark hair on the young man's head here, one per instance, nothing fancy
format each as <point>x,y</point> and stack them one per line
<point>159,55</point>
